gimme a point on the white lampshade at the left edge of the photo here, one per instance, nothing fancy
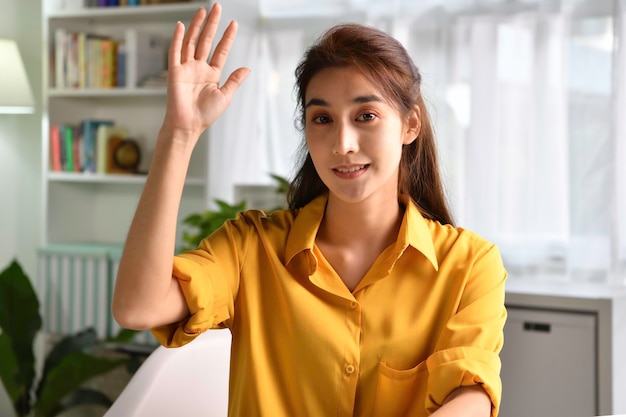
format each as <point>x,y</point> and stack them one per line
<point>15,93</point>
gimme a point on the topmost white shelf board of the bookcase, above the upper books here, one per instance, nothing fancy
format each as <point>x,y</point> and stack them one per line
<point>128,13</point>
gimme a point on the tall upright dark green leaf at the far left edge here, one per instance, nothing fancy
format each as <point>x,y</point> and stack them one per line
<point>20,320</point>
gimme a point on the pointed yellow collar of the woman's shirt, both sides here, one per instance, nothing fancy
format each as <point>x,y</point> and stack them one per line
<point>414,231</point>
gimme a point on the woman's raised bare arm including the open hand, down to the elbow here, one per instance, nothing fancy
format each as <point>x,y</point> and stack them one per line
<point>146,295</point>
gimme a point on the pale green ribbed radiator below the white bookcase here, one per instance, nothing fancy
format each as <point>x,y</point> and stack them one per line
<point>75,285</point>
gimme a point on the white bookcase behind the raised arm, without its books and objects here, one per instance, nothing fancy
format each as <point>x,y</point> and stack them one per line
<point>95,209</point>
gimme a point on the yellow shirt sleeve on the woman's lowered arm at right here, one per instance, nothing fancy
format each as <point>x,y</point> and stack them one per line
<point>468,349</point>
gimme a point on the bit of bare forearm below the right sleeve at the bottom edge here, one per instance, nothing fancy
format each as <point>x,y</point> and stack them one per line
<point>465,402</point>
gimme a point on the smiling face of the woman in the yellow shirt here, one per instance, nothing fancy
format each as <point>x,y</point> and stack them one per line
<point>355,136</point>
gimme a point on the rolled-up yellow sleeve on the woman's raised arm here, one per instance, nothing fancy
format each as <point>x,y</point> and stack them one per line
<point>209,279</point>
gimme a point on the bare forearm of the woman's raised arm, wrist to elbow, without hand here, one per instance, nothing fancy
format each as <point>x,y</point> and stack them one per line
<point>145,292</point>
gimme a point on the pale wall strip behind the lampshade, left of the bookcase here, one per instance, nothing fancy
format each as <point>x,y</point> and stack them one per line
<point>20,144</point>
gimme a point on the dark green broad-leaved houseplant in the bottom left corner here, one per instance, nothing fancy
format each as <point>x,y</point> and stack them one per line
<point>70,362</point>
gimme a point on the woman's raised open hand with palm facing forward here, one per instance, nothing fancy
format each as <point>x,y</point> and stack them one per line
<point>195,98</point>
